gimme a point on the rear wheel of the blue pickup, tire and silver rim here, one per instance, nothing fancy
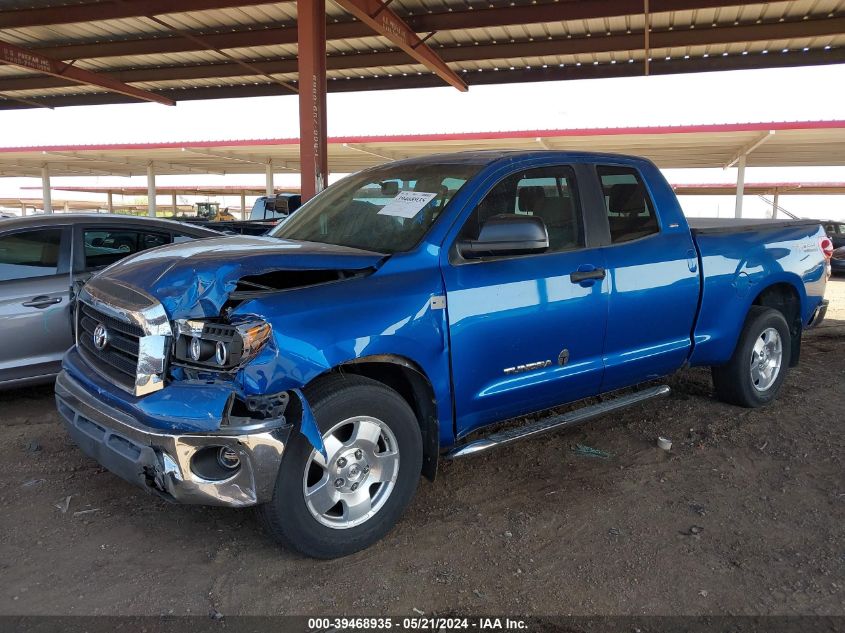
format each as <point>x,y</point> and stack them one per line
<point>758,367</point>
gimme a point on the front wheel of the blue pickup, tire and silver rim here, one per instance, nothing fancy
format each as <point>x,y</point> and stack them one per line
<point>334,506</point>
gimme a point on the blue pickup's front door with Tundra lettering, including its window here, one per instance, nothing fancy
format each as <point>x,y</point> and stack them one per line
<point>525,334</point>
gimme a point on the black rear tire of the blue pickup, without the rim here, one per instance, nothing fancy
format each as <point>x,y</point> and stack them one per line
<point>733,382</point>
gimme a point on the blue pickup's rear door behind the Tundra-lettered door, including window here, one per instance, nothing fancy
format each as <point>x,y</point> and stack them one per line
<point>652,269</point>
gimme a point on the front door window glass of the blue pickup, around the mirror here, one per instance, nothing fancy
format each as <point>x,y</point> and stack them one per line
<point>546,192</point>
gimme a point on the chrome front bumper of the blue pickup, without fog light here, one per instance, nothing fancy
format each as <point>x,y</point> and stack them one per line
<point>162,462</point>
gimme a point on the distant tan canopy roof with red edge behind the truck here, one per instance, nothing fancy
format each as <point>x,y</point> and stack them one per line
<point>810,143</point>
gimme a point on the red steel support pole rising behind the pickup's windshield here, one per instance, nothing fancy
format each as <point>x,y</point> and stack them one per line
<point>311,33</point>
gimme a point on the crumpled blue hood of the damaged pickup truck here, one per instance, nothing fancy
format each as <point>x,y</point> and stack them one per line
<point>194,279</point>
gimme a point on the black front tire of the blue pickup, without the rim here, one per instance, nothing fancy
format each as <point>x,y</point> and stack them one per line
<point>334,399</point>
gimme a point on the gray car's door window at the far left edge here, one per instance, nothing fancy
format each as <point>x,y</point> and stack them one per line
<point>30,254</point>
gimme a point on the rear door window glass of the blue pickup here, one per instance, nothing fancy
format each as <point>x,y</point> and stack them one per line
<point>630,212</point>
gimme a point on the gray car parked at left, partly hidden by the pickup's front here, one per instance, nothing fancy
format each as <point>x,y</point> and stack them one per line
<point>43,259</point>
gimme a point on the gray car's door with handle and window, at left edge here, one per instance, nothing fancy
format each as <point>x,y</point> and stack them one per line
<point>34,301</point>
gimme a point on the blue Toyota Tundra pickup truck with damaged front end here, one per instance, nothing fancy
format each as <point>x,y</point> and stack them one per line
<point>317,372</point>
